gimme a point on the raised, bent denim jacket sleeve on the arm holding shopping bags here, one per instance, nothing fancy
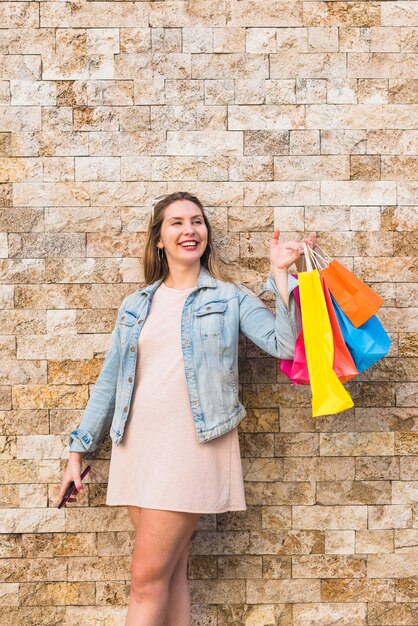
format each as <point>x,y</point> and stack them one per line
<point>275,334</point>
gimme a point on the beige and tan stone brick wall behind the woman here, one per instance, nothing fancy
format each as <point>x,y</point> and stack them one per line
<point>300,115</point>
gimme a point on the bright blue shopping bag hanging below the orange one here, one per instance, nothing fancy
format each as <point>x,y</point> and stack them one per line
<point>368,343</point>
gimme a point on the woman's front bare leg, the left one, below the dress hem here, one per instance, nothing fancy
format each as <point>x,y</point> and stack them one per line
<point>160,540</point>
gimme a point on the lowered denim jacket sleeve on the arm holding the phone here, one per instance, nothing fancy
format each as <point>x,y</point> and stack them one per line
<point>100,407</point>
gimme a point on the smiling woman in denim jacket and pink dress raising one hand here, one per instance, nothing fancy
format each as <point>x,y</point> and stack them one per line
<point>178,455</point>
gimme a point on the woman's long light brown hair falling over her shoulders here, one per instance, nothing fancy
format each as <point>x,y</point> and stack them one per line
<point>155,268</point>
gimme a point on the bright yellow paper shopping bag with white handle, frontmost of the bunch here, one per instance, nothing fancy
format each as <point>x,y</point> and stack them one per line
<point>328,394</point>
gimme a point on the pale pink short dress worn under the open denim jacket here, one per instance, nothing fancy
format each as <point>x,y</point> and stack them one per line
<point>159,463</point>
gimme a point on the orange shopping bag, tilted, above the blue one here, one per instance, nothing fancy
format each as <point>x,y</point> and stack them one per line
<point>355,298</point>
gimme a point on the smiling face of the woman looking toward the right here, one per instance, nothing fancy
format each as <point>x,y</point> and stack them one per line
<point>184,234</point>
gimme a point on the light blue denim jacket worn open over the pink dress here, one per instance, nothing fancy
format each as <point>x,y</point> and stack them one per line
<point>213,316</point>
